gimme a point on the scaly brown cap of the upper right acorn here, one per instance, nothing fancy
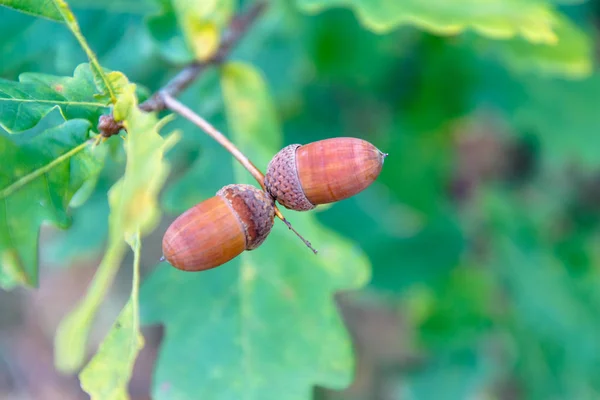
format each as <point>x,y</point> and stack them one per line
<point>283,183</point>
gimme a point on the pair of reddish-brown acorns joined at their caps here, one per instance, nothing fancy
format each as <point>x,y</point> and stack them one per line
<point>240,217</point>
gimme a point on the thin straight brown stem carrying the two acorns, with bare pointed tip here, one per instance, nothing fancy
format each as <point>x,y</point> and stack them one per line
<point>176,106</point>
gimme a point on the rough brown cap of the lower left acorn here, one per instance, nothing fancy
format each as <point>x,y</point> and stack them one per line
<point>254,210</point>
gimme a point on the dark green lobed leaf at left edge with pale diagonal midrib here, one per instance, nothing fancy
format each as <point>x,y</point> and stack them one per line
<point>38,178</point>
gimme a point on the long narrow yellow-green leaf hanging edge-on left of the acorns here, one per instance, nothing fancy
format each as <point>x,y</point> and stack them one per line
<point>133,211</point>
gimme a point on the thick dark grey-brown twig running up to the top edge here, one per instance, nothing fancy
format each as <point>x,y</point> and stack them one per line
<point>237,28</point>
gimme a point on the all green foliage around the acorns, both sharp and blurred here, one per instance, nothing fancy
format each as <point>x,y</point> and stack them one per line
<point>482,229</point>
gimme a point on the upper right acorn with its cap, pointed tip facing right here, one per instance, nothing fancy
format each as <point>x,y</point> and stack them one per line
<point>302,176</point>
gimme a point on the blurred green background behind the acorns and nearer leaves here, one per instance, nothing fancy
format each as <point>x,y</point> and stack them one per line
<point>482,229</point>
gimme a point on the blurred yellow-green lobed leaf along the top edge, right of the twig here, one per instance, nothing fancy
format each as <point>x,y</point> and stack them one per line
<point>499,19</point>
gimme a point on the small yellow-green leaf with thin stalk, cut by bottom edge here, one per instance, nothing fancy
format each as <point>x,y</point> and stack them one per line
<point>107,374</point>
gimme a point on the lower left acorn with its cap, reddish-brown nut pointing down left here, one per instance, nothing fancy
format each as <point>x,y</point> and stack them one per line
<point>218,229</point>
